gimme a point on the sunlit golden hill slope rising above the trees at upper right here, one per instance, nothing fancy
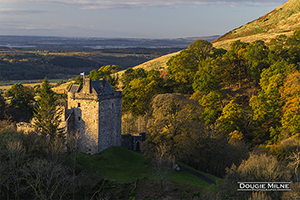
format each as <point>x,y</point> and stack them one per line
<point>283,20</point>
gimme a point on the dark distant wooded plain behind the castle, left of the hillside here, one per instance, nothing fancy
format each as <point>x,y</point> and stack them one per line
<point>22,64</point>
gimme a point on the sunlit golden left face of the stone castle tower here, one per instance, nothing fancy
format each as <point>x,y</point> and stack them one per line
<point>86,120</point>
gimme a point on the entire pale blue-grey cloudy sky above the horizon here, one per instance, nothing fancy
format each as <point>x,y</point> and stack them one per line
<point>155,19</point>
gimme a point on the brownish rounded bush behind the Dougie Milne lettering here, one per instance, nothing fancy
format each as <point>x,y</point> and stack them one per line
<point>257,168</point>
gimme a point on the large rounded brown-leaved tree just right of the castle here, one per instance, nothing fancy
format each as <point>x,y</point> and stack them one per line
<point>173,122</point>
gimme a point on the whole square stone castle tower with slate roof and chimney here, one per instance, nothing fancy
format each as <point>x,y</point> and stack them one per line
<point>95,111</point>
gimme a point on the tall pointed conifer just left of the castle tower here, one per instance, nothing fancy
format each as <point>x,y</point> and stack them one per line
<point>47,113</point>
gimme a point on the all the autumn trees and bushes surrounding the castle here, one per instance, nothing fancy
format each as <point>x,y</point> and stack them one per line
<point>230,113</point>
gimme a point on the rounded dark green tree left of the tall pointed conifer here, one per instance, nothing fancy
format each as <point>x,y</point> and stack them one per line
<point>21,97</point>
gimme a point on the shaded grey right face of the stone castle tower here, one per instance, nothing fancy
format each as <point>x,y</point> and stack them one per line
<point>110,121</point>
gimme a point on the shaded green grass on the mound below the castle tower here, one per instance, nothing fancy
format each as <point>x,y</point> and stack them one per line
<point>125,166</point>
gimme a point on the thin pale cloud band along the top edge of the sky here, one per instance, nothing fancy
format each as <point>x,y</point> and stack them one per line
<point>106,4</point>
